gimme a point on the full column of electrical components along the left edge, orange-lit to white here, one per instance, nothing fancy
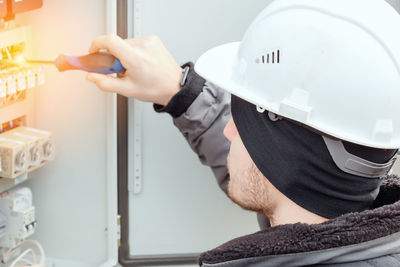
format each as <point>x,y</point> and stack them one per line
<point>23,148</point>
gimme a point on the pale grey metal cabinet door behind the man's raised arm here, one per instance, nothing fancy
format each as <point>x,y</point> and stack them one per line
<point>176,209</point>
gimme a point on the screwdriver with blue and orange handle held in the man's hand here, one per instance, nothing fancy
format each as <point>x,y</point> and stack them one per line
<point>100,62</point>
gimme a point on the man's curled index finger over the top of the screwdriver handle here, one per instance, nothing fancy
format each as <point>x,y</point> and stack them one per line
<point>113,43</point>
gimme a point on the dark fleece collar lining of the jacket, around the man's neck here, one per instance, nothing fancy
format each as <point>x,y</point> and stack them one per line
<point>353,228</point>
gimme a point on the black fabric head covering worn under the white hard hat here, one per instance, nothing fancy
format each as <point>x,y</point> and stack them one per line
<point>297,162</point>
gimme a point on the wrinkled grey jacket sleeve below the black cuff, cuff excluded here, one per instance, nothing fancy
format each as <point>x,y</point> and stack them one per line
<point>202,125</point>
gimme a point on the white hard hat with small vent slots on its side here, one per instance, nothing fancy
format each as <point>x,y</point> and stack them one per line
<point>333,65</point>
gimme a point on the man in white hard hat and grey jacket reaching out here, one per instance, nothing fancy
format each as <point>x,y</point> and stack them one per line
<point>315,128</point>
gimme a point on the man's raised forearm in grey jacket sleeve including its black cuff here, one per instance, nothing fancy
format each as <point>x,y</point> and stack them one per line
<point>201,111</point>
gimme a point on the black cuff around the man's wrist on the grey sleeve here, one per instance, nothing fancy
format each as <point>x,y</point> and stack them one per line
<point>180,102</point>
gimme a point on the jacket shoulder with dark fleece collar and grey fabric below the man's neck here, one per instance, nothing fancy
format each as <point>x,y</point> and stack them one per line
<point>369,238</point>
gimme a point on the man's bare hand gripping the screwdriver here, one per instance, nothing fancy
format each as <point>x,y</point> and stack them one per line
<point>152,74</point>
